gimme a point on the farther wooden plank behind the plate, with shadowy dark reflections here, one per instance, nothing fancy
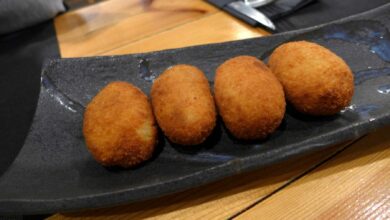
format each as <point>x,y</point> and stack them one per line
<point>115,23</point>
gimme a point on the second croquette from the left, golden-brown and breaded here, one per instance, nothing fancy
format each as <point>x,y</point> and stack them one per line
<point>183,105</point>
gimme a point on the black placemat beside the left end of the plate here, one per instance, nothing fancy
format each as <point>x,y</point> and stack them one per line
<point>21,56</point>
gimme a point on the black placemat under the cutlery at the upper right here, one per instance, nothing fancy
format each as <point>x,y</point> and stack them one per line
<point>318,12</point>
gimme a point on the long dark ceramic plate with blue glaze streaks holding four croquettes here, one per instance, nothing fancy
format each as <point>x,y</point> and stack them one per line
<point>55,172</point>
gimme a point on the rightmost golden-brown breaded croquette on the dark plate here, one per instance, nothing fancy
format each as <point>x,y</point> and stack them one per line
<point>316,81</point>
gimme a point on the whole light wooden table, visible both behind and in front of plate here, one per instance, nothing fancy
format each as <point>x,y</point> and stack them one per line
<point>347,181</point>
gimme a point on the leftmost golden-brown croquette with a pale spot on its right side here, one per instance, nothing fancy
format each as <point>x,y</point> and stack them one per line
<point>119,126</point>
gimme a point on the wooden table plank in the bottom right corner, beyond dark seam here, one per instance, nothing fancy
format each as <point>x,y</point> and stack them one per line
<point>353,185</point>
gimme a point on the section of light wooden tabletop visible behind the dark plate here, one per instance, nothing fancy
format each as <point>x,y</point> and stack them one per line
<point>118,27</point>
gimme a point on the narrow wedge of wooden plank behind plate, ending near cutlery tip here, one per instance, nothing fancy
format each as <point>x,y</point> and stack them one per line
<point>216,28</point>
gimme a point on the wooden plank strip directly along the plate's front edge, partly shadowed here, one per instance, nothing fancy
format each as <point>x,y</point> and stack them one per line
<point>218,200</point>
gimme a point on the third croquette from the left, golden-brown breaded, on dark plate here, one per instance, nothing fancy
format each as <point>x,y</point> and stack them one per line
<point>249,97</point>
